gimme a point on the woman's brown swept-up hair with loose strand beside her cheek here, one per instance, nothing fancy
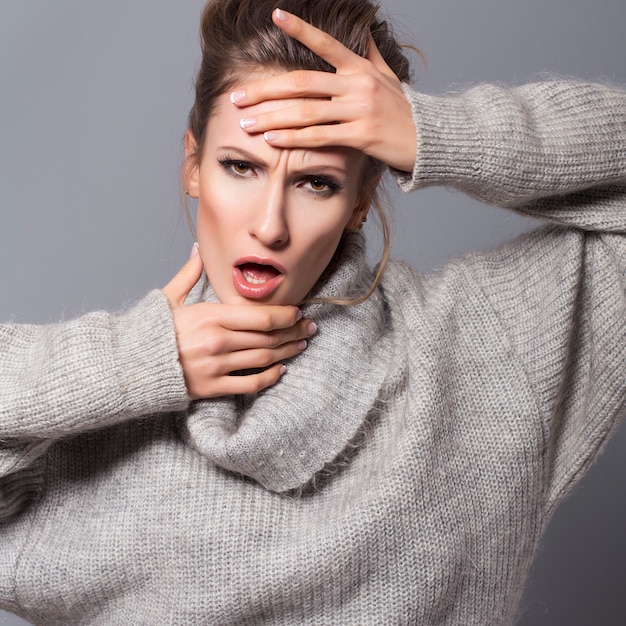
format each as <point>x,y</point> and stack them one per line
<point>238,37</point>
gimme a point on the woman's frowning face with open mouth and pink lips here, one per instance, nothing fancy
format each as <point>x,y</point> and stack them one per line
<point>269,220</point>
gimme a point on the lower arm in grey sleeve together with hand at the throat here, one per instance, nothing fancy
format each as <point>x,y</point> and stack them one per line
<point>102,369</point>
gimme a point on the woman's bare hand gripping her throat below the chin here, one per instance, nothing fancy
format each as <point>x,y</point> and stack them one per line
<point>217,339</point>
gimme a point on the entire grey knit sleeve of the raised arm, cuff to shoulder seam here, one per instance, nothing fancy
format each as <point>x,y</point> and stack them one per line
<point>556,151</point>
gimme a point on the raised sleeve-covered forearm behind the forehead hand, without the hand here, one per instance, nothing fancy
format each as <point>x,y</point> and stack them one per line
<point>517,147</point>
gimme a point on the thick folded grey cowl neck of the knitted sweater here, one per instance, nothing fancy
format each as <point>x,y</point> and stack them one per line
<point>284,435</point>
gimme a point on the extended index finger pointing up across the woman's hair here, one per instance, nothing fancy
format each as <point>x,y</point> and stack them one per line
<point>325,46</point>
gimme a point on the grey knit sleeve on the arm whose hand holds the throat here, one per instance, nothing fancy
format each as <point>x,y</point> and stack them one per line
<point>95,371</point>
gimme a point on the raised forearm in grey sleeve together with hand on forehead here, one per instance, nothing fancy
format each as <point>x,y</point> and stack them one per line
<point>511,147</point>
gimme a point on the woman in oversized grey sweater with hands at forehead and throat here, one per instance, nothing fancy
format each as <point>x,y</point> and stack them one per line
<point>463,405</point>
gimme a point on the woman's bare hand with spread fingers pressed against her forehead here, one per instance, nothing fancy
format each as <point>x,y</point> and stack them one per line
<point>362,106</point>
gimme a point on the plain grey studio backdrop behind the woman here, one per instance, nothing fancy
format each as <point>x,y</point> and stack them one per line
<point>93,101</point>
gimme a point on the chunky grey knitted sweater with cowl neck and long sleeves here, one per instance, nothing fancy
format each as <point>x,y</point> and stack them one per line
<point>405,466</point>
